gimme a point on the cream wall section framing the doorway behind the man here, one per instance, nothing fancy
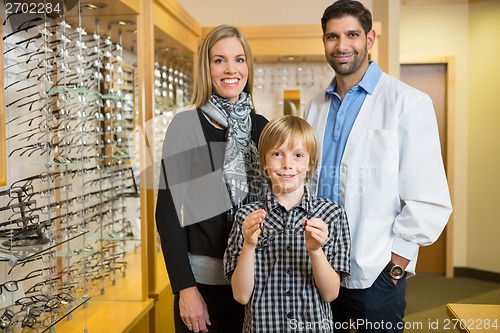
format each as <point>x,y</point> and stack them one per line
<point>434,31</point>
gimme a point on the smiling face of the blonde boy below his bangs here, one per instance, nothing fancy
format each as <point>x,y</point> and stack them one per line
<point>287,168</point>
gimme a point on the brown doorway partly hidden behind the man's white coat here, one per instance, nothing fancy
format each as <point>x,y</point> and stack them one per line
<point>432,78</point>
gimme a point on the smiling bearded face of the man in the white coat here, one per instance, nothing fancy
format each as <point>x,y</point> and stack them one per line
<point>346,45</point>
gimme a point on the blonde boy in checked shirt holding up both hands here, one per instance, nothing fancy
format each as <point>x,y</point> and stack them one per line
<point>286,254</point>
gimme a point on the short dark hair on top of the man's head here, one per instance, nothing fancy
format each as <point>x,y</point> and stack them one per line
<point>343,8</point>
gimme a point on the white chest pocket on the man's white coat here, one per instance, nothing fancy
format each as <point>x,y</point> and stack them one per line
<point>382,150</point>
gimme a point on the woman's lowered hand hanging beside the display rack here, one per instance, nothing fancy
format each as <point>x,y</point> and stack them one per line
<point>193,310</point>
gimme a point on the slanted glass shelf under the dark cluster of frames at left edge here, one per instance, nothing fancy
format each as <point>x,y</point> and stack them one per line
<point>18,255</point>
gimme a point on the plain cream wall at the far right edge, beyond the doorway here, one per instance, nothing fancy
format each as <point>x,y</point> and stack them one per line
<point>483,213</point>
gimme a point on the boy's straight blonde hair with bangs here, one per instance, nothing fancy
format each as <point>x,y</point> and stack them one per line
<point>293,129</point>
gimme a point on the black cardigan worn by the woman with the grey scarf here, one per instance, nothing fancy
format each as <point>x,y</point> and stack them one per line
<point>192,157</point>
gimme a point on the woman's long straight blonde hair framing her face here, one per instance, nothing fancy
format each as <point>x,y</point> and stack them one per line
<point>203,82</point>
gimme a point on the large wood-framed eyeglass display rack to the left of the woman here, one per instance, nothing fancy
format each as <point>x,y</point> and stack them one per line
<point>77,163</point>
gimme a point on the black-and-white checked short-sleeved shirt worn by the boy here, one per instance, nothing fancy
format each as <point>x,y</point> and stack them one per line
<point>285,297</point>
